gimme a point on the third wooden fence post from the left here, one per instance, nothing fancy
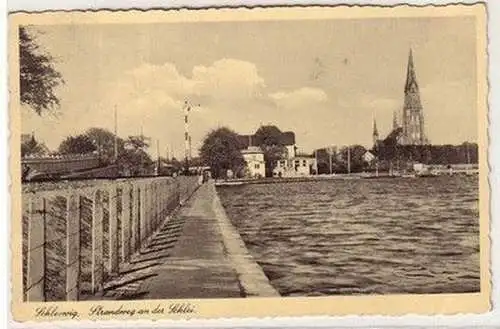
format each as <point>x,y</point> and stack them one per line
<point>97,242</point>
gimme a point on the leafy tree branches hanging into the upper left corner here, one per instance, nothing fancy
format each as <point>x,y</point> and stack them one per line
<point>38,77</point>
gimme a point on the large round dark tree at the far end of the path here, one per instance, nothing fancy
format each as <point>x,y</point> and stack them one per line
<point>221,151</point>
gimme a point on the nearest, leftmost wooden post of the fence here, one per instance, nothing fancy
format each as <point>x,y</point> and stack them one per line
<point>36,251</point>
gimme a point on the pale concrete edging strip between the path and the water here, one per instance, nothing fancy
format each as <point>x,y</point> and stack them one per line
<point>251,276</point>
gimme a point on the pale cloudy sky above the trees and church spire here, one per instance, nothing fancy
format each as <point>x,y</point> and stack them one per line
<point>325,80</point>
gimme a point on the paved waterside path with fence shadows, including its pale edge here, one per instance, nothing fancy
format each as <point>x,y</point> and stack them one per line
<point>195,254</point>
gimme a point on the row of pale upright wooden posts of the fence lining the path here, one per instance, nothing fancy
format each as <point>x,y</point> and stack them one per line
<point>144,206</point>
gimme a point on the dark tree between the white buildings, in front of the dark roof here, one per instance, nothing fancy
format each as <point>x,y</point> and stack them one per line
<point>269,138</point>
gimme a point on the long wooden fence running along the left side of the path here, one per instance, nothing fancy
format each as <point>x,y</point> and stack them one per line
<point>76,236</point>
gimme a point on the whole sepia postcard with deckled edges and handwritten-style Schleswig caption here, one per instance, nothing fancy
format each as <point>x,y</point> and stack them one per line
<point>217,163</point>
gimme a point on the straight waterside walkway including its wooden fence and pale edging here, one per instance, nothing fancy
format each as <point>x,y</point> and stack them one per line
<point>135,238</point>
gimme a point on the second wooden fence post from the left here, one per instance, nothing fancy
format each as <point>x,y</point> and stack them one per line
<point>72,247</point>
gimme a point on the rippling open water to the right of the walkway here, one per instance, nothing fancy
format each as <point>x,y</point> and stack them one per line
<point>383,236</point>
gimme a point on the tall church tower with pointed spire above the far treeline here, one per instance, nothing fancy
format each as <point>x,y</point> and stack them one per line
<point>413,117</point>
